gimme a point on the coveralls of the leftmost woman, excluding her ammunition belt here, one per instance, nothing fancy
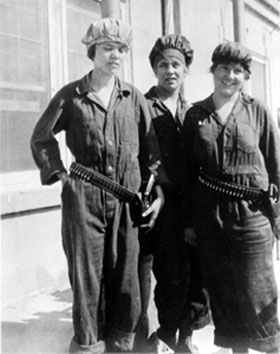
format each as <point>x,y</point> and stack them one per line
<point>99,239</point>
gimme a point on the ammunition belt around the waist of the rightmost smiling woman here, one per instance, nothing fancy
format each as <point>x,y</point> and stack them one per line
<point>230,189</point>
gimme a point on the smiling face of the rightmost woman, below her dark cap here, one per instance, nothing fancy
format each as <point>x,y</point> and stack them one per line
<point>228,79</point>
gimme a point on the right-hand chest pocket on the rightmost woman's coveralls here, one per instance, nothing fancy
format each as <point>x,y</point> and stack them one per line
<point>247,138</point>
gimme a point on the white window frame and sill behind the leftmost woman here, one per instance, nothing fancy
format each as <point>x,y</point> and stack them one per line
<point>22,191</point>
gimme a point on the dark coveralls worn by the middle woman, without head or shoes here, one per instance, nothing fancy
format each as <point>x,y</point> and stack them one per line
<point>180,297</point>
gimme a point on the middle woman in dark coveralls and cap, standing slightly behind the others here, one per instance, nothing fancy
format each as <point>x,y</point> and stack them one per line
<point>180,298</point>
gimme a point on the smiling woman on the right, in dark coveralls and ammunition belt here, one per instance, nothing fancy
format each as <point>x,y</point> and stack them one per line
<point>232,157</point>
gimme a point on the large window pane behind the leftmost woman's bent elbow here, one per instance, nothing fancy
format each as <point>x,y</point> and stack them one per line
<point>24,79</point>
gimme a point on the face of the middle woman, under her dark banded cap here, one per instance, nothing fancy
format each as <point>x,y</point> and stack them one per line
<point>170,73</point>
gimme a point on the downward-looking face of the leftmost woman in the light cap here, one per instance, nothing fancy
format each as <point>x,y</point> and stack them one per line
<point>109,57</point>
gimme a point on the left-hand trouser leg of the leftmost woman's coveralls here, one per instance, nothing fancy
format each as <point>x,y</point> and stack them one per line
<point>83,244</point>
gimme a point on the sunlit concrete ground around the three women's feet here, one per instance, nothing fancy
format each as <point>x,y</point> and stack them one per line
<point>41,324</point>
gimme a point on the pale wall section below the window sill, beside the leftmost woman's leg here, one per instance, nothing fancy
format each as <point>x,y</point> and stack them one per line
<point>32,257</point>
